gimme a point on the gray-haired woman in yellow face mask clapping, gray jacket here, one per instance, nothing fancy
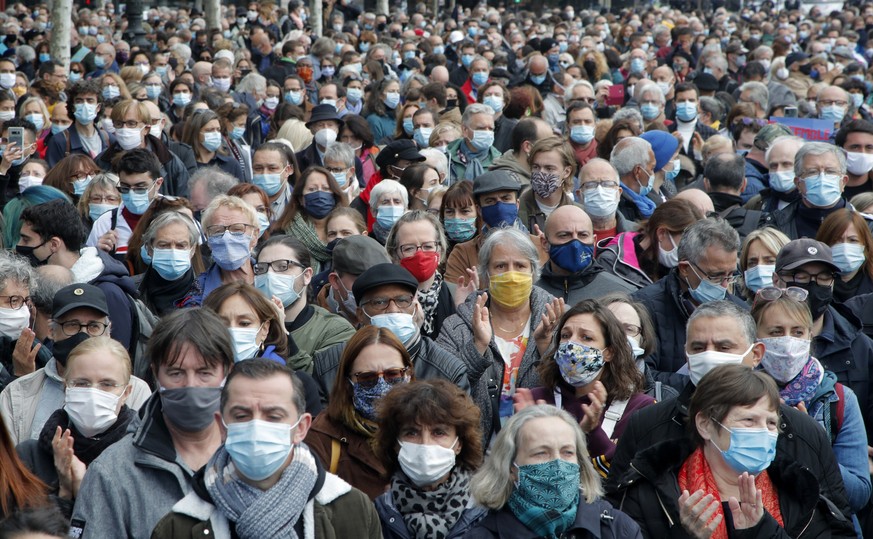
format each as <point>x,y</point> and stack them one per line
<point>502,332</point>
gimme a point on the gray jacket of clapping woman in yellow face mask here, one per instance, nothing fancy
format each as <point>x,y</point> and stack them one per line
<point>485,371</point>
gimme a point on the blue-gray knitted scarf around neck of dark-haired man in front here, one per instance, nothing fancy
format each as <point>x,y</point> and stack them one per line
<point>258,513</point>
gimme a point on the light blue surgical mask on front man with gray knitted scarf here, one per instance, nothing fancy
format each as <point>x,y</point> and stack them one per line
<point>259,448</point>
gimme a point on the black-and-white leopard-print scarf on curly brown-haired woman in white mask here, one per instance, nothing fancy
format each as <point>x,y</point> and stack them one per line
<point>433,513</point>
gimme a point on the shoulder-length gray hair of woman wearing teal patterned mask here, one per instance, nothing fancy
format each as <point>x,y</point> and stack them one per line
<point>492,485</point>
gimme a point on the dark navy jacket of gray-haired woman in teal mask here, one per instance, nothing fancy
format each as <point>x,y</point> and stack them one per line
<point>598,520</point>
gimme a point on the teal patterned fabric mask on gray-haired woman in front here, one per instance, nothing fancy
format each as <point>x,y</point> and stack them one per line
<point>546,496</point>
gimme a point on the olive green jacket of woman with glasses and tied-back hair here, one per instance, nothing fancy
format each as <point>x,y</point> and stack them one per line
<point>314,330</point>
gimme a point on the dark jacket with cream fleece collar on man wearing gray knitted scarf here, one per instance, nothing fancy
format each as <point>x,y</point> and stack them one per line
<point>335,509</point>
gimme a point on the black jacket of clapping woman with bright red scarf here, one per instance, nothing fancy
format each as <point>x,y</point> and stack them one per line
<point>649,493</point>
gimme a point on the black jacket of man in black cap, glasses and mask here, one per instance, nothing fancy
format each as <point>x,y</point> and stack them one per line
<point>430,361</point>
